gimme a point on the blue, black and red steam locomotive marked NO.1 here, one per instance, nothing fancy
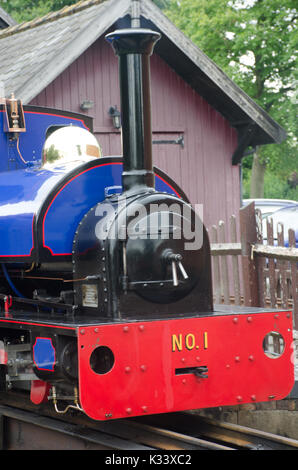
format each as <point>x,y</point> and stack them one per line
<point>105,286</point>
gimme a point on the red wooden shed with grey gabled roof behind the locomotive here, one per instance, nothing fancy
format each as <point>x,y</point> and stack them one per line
<point>202,122</point>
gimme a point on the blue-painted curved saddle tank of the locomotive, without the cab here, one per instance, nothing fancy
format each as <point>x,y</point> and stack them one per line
<point>24,192</point>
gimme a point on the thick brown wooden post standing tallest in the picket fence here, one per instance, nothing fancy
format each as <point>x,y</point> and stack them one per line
<point>248,235</point>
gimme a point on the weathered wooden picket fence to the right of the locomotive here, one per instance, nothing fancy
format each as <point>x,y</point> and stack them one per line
<point>247,271</point>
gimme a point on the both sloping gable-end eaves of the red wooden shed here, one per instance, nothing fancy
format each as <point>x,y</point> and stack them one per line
<point>198,70</point>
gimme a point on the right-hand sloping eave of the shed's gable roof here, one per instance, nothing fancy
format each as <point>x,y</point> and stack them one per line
<point>210,81</point>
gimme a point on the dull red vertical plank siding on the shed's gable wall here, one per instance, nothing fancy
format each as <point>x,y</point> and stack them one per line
<point>203,167</point>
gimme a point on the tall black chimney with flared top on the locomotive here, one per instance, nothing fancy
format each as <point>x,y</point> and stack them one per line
<point>134,47</point>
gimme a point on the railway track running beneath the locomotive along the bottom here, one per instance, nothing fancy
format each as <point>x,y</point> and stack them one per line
<point>19,428</point>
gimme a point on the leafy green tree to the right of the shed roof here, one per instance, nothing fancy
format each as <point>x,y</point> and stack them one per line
<point>254,42</point>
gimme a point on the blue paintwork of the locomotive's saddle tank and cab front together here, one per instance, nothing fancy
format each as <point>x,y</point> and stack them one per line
<point>48,204</point>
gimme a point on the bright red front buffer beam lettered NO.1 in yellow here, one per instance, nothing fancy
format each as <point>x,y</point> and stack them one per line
<point>140,368</point>
